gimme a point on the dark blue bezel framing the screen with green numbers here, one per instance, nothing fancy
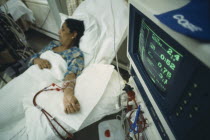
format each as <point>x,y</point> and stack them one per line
<point>166,101</point>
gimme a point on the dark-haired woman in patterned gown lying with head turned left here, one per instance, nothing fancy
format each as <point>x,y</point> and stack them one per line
<point>69,35</point>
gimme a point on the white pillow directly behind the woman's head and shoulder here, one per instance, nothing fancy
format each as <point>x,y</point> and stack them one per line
<point>89,40</point>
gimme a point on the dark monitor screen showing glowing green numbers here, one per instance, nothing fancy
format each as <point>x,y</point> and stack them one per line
<point>160,60</point>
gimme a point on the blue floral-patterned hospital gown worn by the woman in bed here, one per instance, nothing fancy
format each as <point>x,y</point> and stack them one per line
<point>73,56</point>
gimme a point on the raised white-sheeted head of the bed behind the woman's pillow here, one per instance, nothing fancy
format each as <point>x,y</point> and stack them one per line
<point>112,19</point>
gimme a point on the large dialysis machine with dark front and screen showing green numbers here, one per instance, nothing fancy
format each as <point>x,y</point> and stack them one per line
<point>171,73</point>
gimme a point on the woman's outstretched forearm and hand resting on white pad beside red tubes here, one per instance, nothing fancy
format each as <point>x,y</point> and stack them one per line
<point>71,104</point>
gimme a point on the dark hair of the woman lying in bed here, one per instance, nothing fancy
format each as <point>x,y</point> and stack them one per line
<point>76,26</point>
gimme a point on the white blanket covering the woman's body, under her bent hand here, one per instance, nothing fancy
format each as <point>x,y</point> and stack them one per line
<point>27,84</point>
